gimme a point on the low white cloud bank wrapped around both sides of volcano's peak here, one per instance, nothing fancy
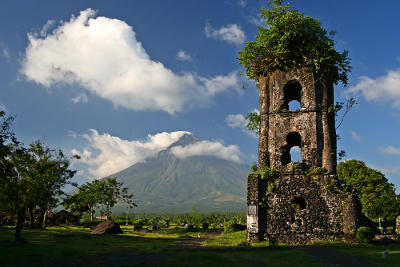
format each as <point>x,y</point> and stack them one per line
<point>105,154</point>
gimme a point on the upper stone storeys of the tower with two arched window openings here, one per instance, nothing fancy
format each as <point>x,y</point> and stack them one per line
<point>311,127</point>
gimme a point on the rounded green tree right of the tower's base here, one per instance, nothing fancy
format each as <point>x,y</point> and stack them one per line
<point>376,194</point>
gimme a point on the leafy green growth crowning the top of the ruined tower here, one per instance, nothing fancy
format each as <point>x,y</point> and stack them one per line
<point>291,39</point>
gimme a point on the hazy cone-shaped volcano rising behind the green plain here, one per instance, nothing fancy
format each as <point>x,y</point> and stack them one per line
<point>169,184</point>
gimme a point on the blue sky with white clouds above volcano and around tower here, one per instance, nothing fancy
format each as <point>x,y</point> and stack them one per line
<point>117,81</point>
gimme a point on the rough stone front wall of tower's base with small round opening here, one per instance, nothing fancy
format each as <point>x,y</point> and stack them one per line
<point>319,218</point>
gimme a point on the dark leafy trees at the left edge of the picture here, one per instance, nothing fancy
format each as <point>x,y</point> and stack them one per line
<point>29,177</point>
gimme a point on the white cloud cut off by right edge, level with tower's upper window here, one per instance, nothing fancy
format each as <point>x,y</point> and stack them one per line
<point>384,88</point>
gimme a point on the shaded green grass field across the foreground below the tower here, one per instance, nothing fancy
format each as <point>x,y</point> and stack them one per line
<point>74,246</point>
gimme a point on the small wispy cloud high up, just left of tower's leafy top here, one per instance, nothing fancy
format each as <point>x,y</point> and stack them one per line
<point>231,33</point>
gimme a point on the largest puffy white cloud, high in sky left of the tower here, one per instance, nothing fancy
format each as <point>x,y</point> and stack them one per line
<point>103,56</point>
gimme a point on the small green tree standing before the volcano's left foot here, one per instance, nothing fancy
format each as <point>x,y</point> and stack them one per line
<point>105,192</point>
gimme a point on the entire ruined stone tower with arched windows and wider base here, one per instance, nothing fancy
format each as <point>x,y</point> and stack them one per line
<point>300,203</point>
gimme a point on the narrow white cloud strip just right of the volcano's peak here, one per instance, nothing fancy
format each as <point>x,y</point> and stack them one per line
<point>208,148</point>
